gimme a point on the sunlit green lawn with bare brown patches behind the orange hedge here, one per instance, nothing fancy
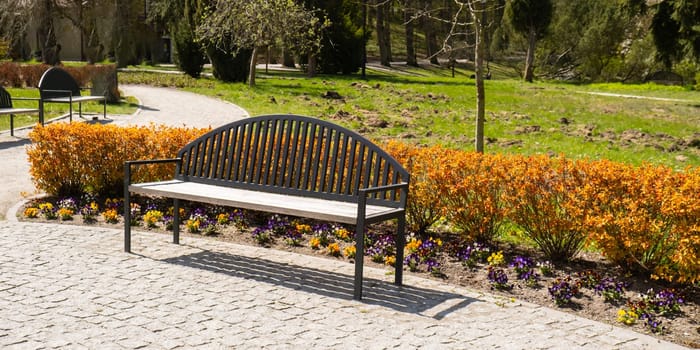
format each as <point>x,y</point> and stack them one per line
<point>429,106</point>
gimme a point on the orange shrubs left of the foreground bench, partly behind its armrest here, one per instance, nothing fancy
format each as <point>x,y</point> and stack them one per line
<point>70,159</point>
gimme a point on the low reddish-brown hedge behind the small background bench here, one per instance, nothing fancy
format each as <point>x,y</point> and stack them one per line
<point>18,75</point>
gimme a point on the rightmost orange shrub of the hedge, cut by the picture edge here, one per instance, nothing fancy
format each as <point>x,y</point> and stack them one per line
<point>647,219</point>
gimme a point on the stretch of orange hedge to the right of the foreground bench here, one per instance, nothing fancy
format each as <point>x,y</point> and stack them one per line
<point>646,219</point>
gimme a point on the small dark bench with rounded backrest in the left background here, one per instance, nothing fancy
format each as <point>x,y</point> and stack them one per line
<point>57,86</point>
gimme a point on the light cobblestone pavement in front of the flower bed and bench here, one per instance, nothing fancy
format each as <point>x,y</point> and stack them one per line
<point>73,287</point>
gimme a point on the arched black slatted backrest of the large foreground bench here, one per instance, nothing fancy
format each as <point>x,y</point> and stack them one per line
<point>294,155</point>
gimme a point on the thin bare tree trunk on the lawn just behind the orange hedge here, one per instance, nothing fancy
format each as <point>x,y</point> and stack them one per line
<point>479,78</point>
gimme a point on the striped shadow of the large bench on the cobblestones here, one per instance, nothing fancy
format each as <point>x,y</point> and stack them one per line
<point>336,285</point>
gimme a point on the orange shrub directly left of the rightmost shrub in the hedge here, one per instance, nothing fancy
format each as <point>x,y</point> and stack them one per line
<point>544,200</point>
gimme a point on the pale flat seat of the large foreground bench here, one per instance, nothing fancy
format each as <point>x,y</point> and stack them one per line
<point>309,207</point>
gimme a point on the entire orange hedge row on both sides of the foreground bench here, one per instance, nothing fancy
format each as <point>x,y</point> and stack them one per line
<point>645,219</point>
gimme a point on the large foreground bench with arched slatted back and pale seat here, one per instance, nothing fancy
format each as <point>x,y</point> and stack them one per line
<point>291,165</point>
